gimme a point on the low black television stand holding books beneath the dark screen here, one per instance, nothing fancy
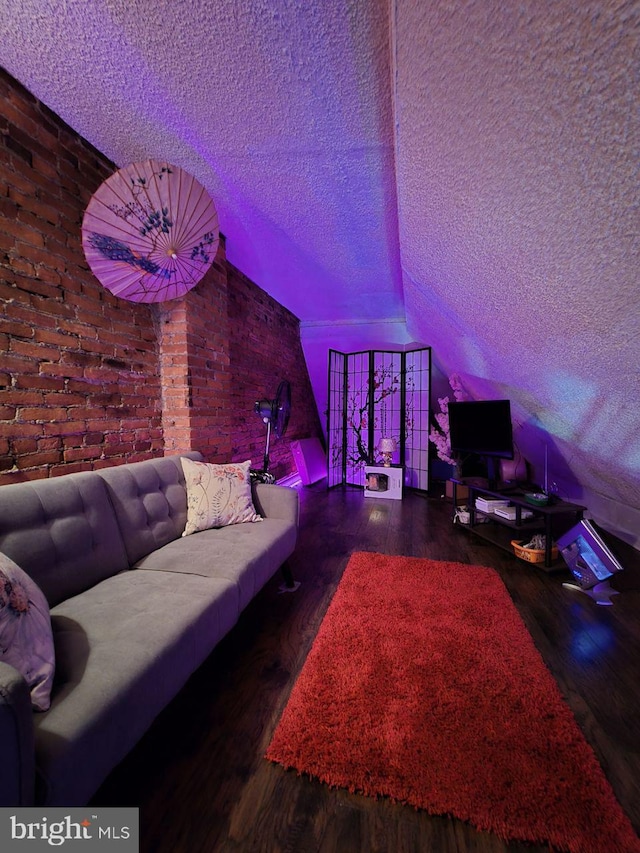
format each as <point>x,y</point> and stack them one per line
<point>552,519</point>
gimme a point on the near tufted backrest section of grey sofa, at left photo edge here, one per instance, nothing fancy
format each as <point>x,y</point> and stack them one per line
<point>62,532</point>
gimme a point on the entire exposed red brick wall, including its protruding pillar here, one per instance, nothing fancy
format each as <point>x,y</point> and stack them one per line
<point>89,380</point>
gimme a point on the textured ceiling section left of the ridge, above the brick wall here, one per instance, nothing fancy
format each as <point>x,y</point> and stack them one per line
<point>282,110</point>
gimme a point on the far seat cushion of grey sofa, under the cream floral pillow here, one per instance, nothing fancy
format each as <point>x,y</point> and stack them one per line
<point>245,554</point>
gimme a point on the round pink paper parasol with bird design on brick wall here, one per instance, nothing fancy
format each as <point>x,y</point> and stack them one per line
<point>150,232</point>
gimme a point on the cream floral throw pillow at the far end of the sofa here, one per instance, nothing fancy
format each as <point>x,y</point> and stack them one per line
<point>217,495</point>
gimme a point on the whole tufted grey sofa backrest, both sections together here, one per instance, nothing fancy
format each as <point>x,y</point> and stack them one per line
<point>70,532</point>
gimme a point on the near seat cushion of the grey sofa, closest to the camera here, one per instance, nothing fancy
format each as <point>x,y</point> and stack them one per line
<point>124,649</point>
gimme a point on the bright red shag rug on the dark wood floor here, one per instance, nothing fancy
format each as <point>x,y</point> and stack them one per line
<point>424,685</point>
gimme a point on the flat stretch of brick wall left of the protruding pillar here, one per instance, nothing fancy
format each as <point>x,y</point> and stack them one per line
<point>79,384</point>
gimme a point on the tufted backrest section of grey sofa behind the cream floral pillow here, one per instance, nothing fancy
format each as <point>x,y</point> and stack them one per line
<point>150,502</point>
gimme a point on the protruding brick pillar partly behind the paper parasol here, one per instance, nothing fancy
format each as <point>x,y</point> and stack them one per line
<point>193,337</point>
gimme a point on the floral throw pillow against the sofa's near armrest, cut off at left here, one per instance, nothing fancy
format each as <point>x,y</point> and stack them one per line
<point>26,639</point>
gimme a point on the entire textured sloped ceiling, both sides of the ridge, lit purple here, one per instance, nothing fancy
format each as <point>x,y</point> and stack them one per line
<point>458,173</point>
